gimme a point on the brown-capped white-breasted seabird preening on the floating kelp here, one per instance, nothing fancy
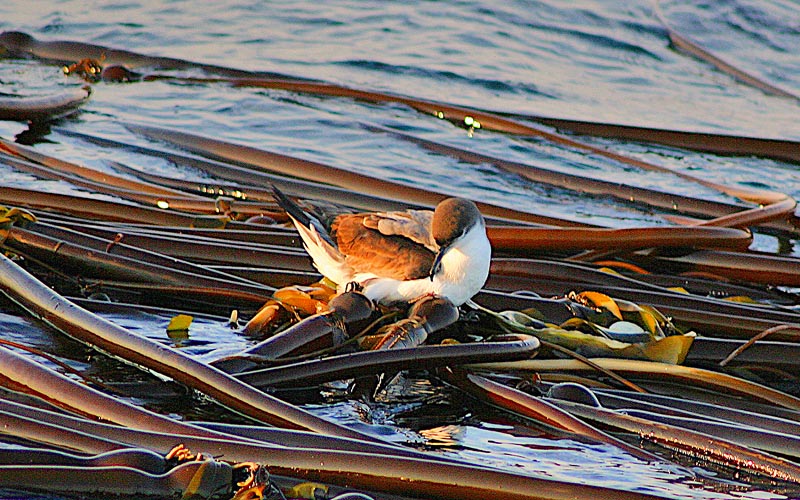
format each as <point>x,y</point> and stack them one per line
<point>400,256</point>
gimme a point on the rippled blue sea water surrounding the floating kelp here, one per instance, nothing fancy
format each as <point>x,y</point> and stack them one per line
<point>592,60</point>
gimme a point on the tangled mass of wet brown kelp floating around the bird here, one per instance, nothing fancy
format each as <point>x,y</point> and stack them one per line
<point>579,330</point>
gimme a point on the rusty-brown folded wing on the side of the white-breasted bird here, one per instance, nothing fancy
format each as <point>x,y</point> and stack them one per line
<point>367,250</point>
